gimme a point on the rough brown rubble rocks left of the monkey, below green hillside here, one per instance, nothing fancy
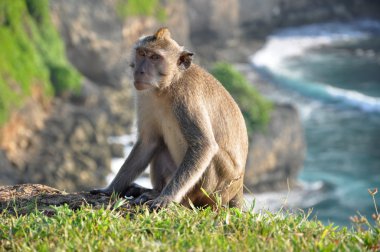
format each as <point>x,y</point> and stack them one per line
<point>70,150</point>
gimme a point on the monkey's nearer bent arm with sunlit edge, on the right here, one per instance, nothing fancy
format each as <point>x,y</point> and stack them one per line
<point>202,147</point>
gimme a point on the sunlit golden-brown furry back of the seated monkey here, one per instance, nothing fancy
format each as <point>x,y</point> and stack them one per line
<point>226,118</point>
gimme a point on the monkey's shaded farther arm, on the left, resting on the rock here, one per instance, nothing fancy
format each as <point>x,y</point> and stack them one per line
<point>135,164</point>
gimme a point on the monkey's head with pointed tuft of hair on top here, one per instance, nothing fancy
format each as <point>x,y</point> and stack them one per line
<point>157,60</point>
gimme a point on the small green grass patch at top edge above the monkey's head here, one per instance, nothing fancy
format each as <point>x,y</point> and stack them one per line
<point>141,8</point>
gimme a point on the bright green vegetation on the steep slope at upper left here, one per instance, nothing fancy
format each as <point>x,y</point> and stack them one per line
<point>31,55</point>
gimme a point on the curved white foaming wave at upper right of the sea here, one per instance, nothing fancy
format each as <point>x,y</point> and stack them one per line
<point>292,42</point>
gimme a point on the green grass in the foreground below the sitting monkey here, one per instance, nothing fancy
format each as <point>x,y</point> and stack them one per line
<point>178,229</point>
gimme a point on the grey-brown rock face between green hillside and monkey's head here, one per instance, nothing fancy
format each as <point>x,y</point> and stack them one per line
<point>93,38</point>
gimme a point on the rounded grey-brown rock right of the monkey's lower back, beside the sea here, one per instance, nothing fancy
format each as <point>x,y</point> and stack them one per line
<point>276,155</point>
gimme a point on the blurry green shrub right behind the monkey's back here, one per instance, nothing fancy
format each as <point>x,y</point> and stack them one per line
<point>255,108</point>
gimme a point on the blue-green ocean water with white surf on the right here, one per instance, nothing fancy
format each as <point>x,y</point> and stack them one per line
<point>331,73</point>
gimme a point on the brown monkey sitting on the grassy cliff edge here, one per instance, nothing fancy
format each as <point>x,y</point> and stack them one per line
<point>190,131</point>
